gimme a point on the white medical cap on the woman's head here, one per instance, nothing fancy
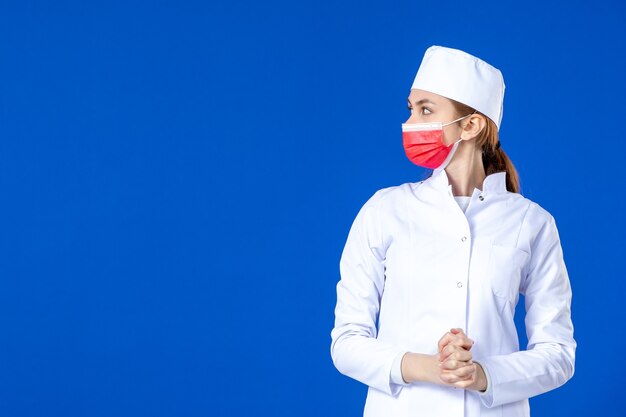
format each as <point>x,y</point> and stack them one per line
<point>462,77</point>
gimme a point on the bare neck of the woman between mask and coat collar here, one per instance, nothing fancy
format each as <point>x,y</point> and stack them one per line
<point>465,171</point>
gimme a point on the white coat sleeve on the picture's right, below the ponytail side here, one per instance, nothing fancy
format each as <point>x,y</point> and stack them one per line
<point>548,361</point>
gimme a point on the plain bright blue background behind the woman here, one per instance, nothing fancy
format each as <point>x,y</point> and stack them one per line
<point>177,180</point>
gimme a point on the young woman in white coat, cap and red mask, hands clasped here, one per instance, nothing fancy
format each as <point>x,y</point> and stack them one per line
<point>431,271</point>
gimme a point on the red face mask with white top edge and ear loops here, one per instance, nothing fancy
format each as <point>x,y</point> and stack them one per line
<point>423,144</point>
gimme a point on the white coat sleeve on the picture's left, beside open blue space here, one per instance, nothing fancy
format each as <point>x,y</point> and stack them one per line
<point>355,350</point>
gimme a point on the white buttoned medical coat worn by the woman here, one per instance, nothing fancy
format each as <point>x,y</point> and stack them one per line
<point>419,266</point>
